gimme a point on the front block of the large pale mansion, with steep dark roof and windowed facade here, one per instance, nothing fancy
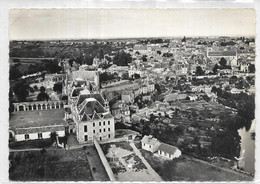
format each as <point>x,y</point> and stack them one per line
<point>92,118</point>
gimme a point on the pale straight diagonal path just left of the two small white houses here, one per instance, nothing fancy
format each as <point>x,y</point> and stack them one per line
<point>152,173</point>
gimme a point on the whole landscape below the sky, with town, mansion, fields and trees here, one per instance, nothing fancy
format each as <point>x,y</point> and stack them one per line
<point>132,109</point>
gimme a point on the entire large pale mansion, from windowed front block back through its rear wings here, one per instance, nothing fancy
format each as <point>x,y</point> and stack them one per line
<point>89,110</point>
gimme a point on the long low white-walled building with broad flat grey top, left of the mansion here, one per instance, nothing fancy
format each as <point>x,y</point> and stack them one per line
<point>38,124</point>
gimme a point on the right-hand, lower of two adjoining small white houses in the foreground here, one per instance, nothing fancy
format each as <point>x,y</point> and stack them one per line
<point>168,151</point>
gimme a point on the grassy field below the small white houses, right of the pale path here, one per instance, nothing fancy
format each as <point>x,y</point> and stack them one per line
<point>189,169</point>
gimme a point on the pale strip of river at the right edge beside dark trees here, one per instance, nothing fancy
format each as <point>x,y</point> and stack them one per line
<point>247,153</point>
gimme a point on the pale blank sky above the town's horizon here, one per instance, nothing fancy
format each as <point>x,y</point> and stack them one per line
<point>42,24</point>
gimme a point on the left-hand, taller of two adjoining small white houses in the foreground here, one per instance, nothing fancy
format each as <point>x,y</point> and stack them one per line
<point>150,144</point>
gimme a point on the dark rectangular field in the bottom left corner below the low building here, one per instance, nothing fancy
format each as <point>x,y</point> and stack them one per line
<point>50,165</point>
